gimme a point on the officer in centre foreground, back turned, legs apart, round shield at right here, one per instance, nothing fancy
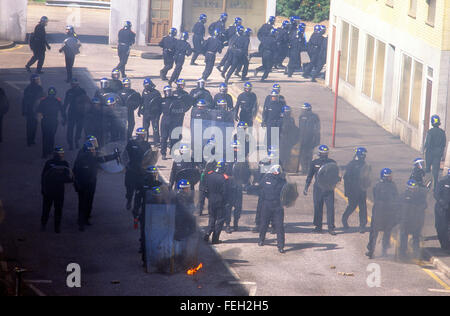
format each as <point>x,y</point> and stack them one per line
<point>271,208</point>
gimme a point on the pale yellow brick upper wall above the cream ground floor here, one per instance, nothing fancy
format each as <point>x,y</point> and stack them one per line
<point>437,36</point>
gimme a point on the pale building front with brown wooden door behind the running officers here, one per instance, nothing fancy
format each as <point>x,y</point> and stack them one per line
<point>152,19</point>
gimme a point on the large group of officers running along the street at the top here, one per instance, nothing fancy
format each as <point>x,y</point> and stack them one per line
<point>276,44</point>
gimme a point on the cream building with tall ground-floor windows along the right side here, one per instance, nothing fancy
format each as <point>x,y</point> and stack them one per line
<point>394,62</point>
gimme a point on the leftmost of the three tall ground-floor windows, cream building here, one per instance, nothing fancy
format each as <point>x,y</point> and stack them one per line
<point>349,53</point>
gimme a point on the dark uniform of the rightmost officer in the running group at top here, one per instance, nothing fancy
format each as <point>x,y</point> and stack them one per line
<point>317,50</point>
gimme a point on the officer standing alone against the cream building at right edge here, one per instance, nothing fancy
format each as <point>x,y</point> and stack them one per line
<point>434,147</point>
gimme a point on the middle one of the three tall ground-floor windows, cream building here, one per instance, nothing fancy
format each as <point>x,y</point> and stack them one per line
<point>374,69</point>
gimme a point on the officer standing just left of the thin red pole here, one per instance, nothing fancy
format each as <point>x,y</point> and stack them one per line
<point>309,136</point>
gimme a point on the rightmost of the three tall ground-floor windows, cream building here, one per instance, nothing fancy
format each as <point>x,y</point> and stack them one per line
<point>411,91</point>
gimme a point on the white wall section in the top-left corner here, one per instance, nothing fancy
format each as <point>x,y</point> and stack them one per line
<point>13,20</point>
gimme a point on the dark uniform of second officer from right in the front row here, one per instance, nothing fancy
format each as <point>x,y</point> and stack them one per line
<point>412,218</point>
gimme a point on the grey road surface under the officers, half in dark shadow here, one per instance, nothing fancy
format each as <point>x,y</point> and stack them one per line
<point>314,264</point>
